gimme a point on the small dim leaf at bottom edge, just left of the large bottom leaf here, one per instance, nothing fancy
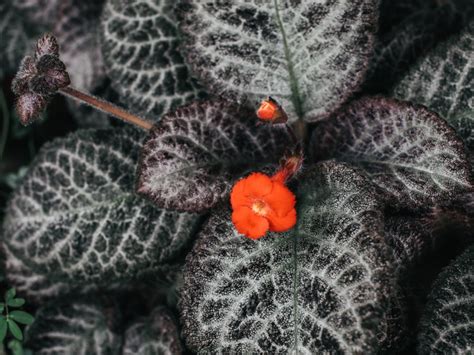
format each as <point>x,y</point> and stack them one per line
<point>156,334</point>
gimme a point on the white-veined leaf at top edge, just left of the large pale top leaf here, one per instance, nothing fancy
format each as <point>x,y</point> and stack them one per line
<point>140,45</point>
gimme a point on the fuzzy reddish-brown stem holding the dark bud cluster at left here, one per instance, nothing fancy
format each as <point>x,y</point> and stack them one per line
<point>105,106</point>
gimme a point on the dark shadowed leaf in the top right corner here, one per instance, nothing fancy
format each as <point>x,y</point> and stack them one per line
<point>408,29</point>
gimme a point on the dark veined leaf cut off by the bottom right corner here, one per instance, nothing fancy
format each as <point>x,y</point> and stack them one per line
<point>448,321</point>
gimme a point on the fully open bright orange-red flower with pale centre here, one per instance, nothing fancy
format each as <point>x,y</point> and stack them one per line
<point>261,203</point>
